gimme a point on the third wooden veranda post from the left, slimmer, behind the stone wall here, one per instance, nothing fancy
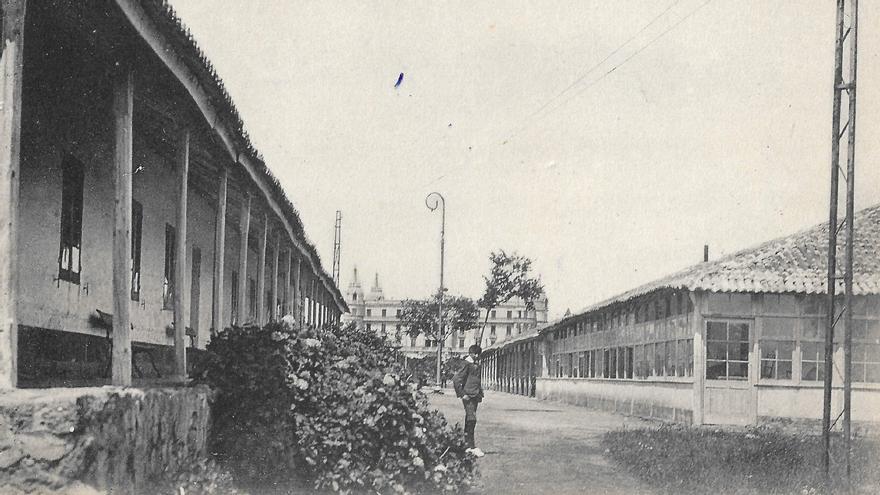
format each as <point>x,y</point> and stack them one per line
<point>180,261</point>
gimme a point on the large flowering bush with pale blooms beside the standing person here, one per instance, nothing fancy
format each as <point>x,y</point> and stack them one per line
<point>328,408</point>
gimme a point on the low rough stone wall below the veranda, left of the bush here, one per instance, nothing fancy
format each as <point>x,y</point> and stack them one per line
<point>99,439</point>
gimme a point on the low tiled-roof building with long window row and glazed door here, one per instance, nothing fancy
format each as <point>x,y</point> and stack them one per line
<point>739,340</point>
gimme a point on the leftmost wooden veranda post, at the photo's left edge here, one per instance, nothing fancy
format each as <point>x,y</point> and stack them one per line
<point>11,64</point>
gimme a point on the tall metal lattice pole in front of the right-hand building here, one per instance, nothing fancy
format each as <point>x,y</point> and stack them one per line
<point>833,228</point>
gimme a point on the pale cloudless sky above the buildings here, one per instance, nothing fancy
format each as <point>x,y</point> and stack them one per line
<point>606,141</point>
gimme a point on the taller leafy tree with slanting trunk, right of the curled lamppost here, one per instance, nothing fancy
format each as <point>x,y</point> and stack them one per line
<point>509,278</point>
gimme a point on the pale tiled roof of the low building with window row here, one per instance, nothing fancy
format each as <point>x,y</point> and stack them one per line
<point>796,263</point>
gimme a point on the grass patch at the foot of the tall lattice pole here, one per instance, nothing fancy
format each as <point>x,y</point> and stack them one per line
<point>698,460</point>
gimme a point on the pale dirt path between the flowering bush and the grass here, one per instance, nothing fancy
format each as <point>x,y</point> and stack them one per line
<point>542,447</point>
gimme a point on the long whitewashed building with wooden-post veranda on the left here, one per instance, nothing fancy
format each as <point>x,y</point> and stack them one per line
<point>136,217</point>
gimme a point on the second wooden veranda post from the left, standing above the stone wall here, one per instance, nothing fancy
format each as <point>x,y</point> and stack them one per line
<point>123,103</point>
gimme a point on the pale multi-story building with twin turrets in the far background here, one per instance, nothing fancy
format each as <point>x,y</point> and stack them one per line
<point>375,312</point>
